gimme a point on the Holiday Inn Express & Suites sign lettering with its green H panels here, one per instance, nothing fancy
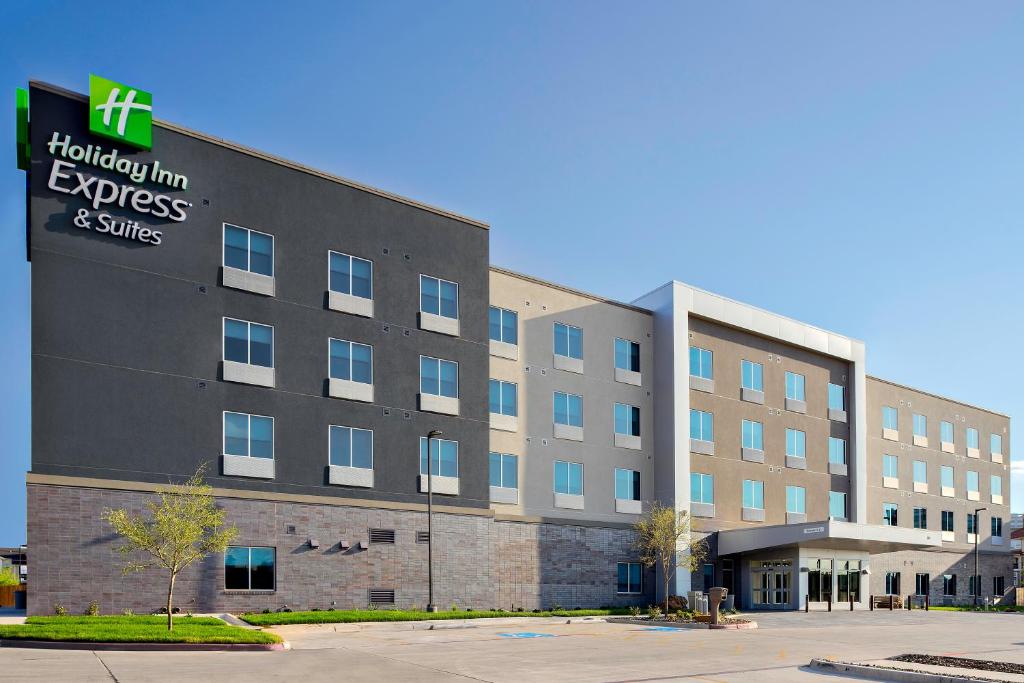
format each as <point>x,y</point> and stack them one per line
<point>121,114</point>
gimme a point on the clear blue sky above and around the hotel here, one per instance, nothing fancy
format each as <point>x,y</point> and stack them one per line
<point>856,165</point>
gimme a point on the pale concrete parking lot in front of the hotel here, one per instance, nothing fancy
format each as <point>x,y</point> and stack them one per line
<point>527,651</point>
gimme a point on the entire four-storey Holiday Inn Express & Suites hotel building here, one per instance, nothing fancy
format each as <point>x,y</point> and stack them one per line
<point>302,334</point>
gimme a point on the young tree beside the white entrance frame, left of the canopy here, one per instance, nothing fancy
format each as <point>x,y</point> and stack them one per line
<point>665,539</point>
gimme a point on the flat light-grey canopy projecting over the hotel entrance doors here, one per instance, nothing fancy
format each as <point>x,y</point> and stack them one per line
<point>830,535</point>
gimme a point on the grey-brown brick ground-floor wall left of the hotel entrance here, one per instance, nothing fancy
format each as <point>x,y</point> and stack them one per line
<point>479,563</point>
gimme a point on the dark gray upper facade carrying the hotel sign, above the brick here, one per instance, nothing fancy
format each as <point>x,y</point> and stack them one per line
<point>127,338</point>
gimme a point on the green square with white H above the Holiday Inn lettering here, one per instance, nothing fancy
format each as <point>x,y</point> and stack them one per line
<point>120,112</point>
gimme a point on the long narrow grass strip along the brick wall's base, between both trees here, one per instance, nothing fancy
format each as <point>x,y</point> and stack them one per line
<point>352,616</point>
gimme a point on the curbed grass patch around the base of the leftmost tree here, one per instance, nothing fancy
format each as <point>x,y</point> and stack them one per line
<point>135,630</point>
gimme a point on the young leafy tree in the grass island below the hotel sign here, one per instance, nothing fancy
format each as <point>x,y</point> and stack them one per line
<point>185,526</point>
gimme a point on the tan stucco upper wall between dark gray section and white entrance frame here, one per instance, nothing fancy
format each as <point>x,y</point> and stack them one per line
<point>539,308</point>
